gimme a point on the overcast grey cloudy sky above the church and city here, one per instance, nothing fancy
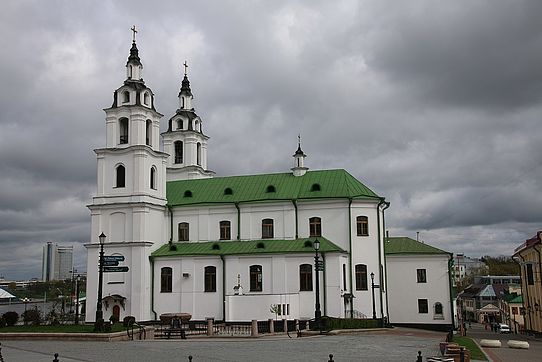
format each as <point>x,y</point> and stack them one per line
<point>435,105</point>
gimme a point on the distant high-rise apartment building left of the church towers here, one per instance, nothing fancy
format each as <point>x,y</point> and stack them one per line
<point>57,262</point>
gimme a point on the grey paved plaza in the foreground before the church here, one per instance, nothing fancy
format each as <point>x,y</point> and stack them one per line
<point>393,345</point>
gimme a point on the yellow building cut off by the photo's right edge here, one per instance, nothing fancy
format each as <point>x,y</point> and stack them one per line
<point>528,255</point>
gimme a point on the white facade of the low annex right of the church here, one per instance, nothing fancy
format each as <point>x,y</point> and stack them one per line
<point>409,292</point>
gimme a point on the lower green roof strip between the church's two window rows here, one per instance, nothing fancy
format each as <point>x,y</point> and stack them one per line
<point>250,247</point>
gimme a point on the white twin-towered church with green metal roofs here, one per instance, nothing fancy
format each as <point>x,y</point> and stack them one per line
<point>227,248</point>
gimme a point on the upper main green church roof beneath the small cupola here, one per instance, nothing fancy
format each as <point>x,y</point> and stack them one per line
<point>313,185</point>
